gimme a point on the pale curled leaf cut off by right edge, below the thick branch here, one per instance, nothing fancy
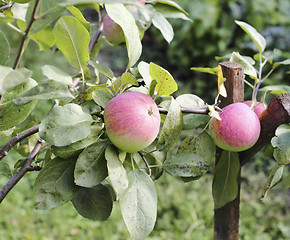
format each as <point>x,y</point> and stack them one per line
<point>281,144</point>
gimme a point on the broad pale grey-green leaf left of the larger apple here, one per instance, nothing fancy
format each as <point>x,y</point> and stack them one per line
<point>65,125</point>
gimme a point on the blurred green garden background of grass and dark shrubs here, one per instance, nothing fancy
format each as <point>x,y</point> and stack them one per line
<point>185,211</point>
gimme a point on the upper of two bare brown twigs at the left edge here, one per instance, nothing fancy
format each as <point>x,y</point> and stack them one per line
<point>16,139</point>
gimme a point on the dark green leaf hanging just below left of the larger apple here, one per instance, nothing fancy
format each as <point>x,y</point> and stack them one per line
<point>91,166</point>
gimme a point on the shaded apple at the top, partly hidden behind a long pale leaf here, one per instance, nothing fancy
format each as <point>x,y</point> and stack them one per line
<point>112,31</point>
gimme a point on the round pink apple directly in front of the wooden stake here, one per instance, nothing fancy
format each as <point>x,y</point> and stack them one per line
<point>238,130</point>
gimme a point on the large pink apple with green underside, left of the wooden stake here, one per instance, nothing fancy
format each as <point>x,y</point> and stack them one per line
<point>132,121</point>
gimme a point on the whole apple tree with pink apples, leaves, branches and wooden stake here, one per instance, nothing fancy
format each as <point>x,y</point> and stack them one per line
<point>108,137</point>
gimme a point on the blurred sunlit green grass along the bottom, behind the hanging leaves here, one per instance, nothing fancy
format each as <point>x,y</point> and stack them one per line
<point>185,211</point>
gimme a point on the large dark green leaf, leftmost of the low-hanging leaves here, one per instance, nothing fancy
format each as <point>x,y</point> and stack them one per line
<point>54,184</point>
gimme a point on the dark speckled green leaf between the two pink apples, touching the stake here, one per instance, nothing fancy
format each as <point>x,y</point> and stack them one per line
<point>200,144</point>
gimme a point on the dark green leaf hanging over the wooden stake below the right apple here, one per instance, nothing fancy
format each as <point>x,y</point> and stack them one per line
<point>225,181</point>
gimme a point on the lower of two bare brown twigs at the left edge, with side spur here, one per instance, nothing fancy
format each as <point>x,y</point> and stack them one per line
<point>22,171</point>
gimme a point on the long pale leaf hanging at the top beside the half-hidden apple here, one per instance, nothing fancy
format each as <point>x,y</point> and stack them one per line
<point>124,18</point>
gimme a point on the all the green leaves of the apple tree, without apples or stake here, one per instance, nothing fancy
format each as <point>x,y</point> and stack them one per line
<point>78,162</point>
